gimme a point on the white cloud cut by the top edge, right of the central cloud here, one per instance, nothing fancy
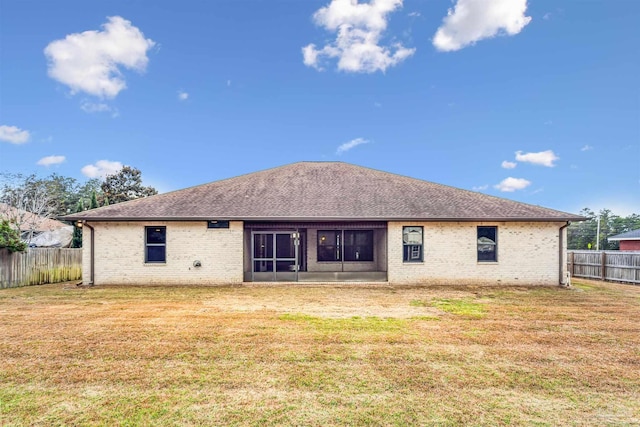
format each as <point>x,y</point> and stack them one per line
<point>473,20</point>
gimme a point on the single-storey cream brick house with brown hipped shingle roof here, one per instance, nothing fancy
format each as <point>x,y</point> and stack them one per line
<point>323,221</point>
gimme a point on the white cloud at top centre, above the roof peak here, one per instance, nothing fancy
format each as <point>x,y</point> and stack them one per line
<point>359,28</point>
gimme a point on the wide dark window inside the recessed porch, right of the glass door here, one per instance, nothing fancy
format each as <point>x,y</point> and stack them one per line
<point>347,245</point>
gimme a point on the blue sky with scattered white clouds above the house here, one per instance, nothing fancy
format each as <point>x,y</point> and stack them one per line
<point>534,101</point>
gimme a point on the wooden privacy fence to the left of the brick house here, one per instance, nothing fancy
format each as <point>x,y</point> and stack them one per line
<point>38,266</point>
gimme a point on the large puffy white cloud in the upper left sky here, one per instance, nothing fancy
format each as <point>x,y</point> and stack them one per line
<point>90,61</point>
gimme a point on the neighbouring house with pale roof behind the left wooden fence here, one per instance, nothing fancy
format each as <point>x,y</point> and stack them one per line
<point>38,231</point>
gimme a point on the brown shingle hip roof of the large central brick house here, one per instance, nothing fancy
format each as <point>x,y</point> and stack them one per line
<point>323,191</point>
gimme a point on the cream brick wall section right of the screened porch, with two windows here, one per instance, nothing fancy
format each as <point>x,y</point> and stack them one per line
<point>527,254</point>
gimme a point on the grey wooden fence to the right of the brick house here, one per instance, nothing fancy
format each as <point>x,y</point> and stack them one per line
<point>616,266</point>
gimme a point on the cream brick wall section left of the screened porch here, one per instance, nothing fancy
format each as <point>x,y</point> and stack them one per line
<point>120,254</point>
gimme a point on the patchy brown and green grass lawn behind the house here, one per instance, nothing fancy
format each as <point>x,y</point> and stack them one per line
<point>320,355</point>
